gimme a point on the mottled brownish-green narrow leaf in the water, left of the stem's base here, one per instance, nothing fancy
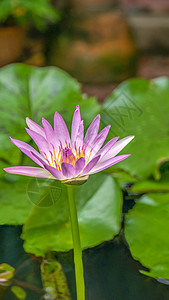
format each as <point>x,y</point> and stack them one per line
<point>54,280</point>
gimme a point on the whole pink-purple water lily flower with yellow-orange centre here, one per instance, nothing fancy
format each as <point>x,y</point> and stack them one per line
<point>66,158</point>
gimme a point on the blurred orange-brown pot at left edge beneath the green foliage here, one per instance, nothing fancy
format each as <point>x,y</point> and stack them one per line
<point>12,40</point>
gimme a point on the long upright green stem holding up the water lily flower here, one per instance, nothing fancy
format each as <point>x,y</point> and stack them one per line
<point>80,287</point>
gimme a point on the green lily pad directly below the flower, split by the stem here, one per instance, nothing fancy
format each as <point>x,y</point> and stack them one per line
<point>99,203</point>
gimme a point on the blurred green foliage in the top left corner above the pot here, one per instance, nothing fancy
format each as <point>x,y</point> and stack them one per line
<point>28,12</point>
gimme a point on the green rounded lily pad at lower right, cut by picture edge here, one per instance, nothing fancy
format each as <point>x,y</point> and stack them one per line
<point>146,231</point>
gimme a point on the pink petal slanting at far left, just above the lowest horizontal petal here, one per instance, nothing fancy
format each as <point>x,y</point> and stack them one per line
<point>28,150</point>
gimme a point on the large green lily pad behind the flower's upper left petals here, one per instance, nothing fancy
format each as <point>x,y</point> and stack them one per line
<point>27,91</point>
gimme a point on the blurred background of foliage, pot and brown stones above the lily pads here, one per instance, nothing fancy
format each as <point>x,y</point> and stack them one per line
<point>100,42</point>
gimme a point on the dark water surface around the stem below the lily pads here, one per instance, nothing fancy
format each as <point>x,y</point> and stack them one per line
<point>110,271</point>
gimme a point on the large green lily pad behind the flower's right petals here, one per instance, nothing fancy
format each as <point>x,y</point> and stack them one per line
<point>140,107</point>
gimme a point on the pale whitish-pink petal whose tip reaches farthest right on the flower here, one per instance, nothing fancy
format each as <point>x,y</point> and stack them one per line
<point>117,147</point>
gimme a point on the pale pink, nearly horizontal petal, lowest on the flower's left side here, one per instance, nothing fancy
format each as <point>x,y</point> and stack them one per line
<point>29,171</point>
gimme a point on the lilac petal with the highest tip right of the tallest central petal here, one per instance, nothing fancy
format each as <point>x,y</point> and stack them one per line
<point>92,131</point>
